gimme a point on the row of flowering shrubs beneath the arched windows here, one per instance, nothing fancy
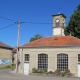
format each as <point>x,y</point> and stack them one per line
<point>57,72</point>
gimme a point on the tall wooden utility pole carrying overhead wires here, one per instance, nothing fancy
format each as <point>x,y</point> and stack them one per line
<point>18,44</point>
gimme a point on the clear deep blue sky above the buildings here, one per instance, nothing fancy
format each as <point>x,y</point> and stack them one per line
<point>35,11</point>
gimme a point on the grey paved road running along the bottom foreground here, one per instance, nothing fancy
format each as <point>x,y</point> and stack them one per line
<point>7,75</point>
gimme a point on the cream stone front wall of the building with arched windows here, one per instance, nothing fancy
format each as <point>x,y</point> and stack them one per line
<point>52,57</point>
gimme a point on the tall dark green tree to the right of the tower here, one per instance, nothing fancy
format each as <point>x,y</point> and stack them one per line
<point>73,27</point>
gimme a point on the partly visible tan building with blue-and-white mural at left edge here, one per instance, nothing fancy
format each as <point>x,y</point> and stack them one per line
<point>5,54</point>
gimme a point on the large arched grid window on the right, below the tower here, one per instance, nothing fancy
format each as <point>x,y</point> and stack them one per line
<point>62,62</point>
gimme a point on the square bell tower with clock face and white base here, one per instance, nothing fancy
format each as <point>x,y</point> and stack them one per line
<point>59,23</point>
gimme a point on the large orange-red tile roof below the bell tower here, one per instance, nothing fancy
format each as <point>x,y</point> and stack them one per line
<point>54,41</point>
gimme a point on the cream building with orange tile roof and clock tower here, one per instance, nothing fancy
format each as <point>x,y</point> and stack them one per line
<point>58,51</point>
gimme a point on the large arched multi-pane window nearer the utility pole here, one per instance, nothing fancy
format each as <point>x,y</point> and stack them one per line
<point>42,61</point>
